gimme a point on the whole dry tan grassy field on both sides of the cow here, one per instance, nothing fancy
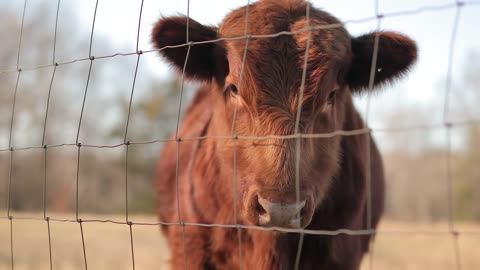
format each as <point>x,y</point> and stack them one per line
<point>108,245</point>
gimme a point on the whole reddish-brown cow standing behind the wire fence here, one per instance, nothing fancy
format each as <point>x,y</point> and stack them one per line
<point>259,100</point>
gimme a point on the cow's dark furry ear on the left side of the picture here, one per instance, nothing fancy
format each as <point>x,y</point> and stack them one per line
<point>205,61</point>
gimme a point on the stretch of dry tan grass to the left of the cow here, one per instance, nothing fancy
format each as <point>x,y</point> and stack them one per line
<point>107,245</point>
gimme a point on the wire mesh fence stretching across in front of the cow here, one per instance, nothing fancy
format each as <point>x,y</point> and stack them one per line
<point>126,144</point>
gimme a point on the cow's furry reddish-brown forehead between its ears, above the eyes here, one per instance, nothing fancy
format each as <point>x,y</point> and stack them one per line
<point>281,55</point>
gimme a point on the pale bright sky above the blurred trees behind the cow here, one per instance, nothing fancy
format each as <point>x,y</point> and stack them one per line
<point>430,25</point>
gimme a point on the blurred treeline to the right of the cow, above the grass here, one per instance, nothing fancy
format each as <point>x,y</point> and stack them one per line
<point>416,162</point>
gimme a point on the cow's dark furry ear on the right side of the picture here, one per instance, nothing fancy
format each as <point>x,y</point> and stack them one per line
<point>396,54</point>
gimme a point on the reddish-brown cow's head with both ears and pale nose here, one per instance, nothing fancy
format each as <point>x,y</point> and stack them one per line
<point>261,97</point>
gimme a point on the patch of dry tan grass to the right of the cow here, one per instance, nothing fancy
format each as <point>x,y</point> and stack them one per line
<point>415,246</point>
